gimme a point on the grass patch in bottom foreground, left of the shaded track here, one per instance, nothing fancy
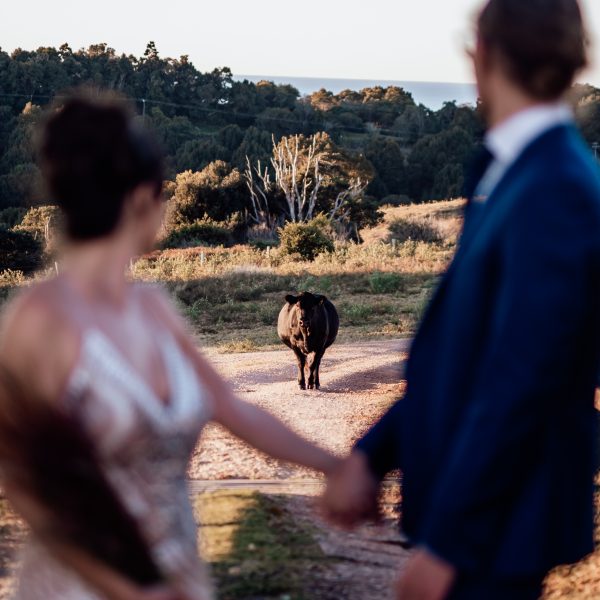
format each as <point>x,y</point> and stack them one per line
<point>255,547</point>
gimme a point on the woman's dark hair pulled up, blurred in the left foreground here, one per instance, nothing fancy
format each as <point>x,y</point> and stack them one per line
<point>93,154</point>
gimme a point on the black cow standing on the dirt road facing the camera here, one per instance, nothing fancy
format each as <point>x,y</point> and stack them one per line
<point>308,324</point>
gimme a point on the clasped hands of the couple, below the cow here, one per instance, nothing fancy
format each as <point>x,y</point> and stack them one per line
<point>351,494</point>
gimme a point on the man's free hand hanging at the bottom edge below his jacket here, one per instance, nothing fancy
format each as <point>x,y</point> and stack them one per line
<point>426,578</point>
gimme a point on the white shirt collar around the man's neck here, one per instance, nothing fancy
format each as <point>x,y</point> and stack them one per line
<point>508,139</point>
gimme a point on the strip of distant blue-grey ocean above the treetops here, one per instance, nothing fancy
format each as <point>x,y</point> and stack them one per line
<point>431,94</point>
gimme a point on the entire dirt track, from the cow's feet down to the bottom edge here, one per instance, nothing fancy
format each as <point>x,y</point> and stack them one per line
<point>359,382</point>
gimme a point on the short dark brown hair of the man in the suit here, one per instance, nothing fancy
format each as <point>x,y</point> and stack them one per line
<point>543,42</point>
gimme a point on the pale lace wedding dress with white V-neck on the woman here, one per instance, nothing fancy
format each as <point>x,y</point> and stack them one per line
<point>144,444</point>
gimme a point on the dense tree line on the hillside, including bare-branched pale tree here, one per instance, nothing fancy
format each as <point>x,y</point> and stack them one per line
<point>227,142</point>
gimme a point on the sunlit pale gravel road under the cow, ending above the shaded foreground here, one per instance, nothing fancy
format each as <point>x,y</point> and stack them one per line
<point>359,382</point>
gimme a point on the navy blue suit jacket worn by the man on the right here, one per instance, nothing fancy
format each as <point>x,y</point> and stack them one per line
<point>496,434</point>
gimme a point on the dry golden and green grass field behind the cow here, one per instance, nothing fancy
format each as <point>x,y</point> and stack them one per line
<point>232,296</point>
